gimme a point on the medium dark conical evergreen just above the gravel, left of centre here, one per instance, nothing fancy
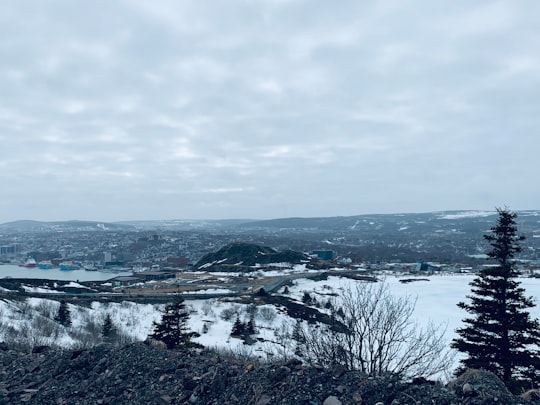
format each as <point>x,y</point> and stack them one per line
<point>173,328</point>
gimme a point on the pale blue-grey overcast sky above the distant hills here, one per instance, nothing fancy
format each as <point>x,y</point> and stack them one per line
<point>124,110</point>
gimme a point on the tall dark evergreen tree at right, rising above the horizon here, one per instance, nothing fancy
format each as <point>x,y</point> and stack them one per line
<point>500,336</point>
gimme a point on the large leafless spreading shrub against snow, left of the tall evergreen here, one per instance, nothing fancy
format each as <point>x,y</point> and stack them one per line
<point>374,332</point>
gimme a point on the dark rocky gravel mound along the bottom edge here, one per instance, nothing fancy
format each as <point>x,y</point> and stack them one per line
<point>142,374</point>
